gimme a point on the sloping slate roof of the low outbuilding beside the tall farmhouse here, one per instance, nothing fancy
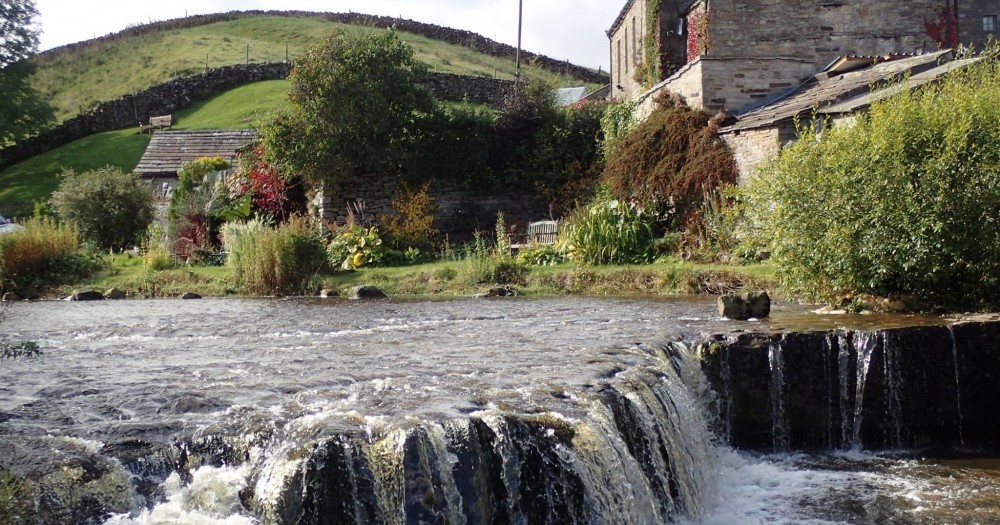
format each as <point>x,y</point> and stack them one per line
<point>833,92</point>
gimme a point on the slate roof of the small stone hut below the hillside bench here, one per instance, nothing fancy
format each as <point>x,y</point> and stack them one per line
<point>170,149</point>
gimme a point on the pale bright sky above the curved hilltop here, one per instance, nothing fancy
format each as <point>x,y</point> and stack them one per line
<point>571,30</point>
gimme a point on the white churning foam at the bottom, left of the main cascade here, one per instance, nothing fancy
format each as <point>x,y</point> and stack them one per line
<point>212,498</point>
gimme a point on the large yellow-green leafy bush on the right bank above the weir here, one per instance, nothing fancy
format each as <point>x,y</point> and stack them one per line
<point>904,202</point>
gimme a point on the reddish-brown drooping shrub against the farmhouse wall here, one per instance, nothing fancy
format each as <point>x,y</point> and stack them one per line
<point>675,156</point>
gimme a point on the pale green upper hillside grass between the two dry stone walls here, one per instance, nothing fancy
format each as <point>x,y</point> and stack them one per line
<point>76,78</point>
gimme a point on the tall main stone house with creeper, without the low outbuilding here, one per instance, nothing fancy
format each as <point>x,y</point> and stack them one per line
<point>733,55</point>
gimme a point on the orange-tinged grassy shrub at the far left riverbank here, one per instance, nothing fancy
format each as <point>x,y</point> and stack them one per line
<point>42,254</point>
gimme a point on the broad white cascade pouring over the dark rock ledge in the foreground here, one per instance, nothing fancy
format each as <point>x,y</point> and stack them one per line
<point>637,451</point>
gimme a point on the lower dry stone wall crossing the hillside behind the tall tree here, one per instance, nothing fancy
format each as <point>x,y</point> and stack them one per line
<point>177,94</point>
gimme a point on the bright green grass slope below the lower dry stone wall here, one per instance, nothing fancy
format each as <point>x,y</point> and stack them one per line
<point>36,178</point>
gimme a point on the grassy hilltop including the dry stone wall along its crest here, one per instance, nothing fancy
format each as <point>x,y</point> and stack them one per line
<point>76,77</point>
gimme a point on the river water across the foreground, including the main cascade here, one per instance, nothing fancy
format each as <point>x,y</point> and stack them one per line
<point>213,411</point>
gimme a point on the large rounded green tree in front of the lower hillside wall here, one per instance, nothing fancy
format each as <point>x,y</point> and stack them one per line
<point>355,102</point>
